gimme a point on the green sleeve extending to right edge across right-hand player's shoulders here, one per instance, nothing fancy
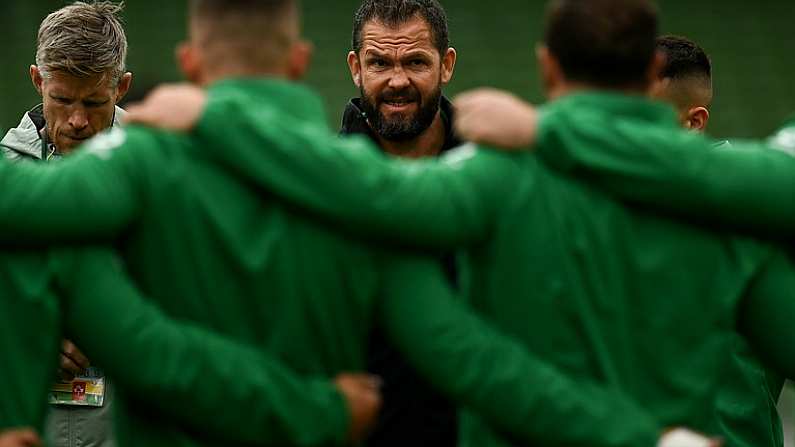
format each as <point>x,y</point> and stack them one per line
<point>744,184</point>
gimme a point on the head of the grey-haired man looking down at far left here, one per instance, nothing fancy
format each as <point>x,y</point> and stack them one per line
<point>80,70</point>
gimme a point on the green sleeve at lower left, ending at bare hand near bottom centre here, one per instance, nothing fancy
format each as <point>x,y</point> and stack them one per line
<point>196,377</point>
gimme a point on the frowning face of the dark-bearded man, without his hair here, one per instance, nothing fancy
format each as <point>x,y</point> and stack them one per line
<point>400,76</point>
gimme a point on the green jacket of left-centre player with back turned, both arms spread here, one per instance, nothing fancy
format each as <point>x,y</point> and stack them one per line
<point>210,247</point>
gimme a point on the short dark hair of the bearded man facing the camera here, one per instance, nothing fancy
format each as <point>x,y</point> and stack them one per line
<point>397,12</point>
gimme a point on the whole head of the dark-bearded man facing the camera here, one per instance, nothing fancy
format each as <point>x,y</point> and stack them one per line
<point>400,60</point>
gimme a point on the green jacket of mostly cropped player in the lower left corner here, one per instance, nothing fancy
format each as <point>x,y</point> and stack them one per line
<point>182,370</point>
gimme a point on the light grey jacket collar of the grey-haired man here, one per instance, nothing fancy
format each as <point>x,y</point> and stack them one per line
<point>26,139</point>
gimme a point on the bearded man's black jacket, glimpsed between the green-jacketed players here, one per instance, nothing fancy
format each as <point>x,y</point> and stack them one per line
<point>413,414</point>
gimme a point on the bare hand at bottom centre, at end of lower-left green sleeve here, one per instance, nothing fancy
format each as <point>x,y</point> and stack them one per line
<point>361,391</point>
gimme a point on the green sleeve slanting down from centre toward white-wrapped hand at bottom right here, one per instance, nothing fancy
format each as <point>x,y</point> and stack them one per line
<point>494,376</point>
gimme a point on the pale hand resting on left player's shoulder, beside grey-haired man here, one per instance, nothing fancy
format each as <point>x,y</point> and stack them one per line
<point>176,107</point>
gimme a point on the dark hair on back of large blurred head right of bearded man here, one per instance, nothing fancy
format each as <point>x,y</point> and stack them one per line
<point>608,43</point>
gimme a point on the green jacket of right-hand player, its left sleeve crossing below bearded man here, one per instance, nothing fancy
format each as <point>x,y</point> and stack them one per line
<point>599,274</point>
